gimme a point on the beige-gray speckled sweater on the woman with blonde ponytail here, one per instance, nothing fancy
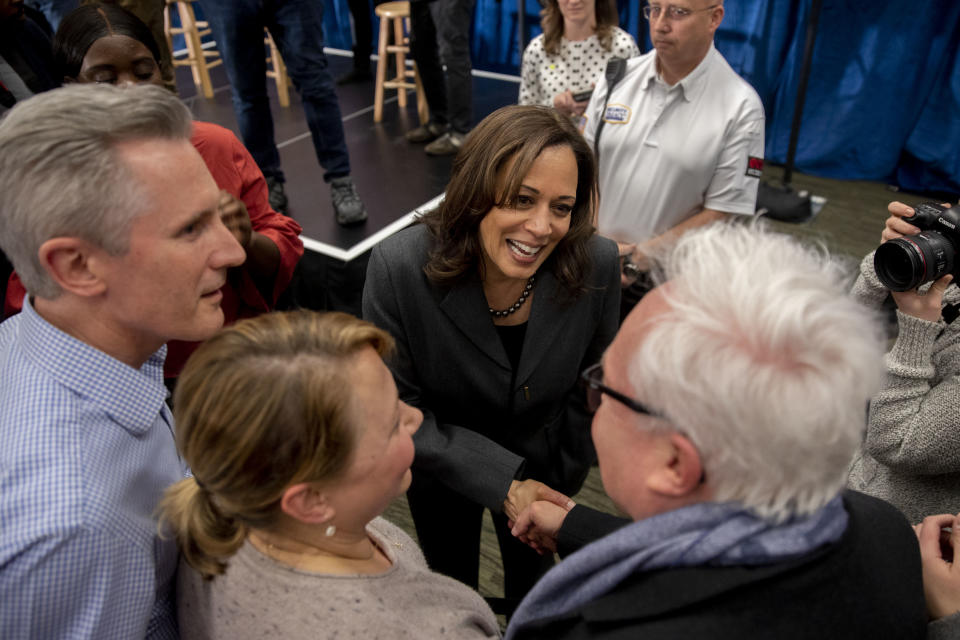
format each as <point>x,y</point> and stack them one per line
<point>259,598</point>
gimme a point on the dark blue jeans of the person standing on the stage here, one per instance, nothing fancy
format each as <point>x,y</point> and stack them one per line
<point>296,27</point>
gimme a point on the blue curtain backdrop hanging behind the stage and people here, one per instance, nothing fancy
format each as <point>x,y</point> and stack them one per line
<point>883,101</point>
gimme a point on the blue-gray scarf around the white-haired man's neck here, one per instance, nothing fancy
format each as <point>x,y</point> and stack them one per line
<point>710,533</point>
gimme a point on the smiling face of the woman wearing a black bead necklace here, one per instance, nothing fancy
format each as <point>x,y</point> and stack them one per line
<point>516,240</point>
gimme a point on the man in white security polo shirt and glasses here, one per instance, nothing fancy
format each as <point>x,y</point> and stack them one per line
<point>682,141</point>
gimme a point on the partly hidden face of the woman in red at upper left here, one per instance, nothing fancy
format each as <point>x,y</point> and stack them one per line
<point>119,60</point>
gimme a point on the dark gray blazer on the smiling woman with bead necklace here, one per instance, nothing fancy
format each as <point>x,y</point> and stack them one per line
<point>478,430</point>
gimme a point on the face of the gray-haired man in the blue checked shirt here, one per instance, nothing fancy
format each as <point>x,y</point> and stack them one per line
<point>167,285</point>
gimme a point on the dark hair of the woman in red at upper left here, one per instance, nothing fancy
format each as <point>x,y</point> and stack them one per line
<point>85,25</point>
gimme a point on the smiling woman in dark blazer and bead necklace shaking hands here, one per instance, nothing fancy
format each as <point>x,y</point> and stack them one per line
<point>497,300</point>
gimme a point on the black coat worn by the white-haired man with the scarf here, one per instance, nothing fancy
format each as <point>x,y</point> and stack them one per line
<point>868,585</point>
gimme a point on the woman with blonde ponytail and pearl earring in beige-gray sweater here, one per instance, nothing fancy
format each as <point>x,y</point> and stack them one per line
<point>298,441</point>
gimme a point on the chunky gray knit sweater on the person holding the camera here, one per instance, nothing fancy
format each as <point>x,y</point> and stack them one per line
<point>911,453</point>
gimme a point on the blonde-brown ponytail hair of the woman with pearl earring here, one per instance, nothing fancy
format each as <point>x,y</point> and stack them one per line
<point>260,406</point>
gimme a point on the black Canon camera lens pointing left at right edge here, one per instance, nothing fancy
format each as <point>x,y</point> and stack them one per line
<point>906,263</point>
